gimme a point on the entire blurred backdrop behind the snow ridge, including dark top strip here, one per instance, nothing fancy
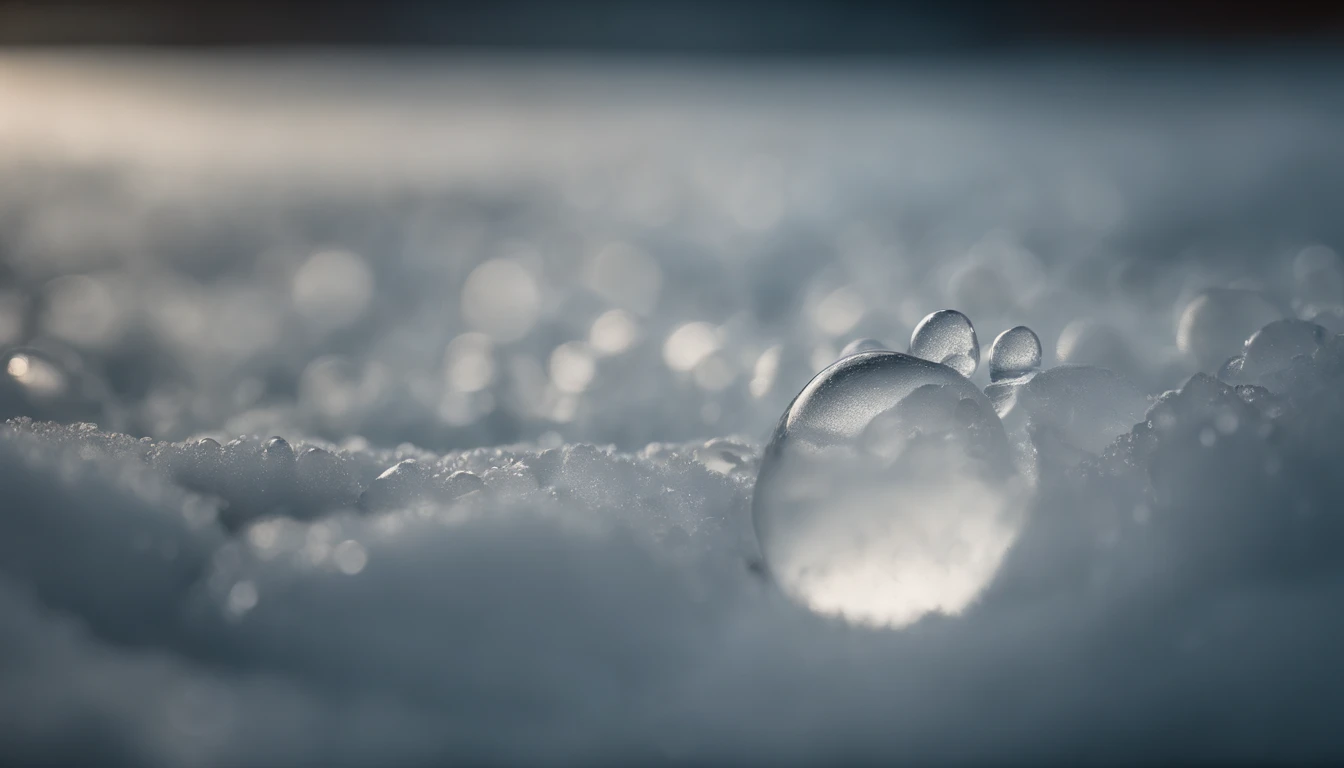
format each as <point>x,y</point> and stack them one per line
<point>472,224</point>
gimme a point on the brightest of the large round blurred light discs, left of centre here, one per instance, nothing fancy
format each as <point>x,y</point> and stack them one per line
<point>501,298</point>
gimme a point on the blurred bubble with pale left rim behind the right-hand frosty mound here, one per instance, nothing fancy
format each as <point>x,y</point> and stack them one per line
<point>1217,323</point>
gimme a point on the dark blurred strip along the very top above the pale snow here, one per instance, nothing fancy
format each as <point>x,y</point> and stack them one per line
<point>694,26</point>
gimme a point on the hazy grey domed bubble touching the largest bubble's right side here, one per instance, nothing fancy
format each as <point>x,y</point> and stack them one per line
<point>1081,408</point>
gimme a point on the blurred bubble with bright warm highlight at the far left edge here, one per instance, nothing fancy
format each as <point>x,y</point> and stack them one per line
<point>53,384</point>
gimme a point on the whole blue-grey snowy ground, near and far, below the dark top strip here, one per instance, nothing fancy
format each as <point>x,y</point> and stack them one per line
<point>580,295</point>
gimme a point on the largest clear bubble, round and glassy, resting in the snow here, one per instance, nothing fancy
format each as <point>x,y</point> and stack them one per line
<point>881,494</point>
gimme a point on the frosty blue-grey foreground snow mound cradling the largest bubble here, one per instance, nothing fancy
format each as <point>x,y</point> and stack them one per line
<point>1175,599</point>
